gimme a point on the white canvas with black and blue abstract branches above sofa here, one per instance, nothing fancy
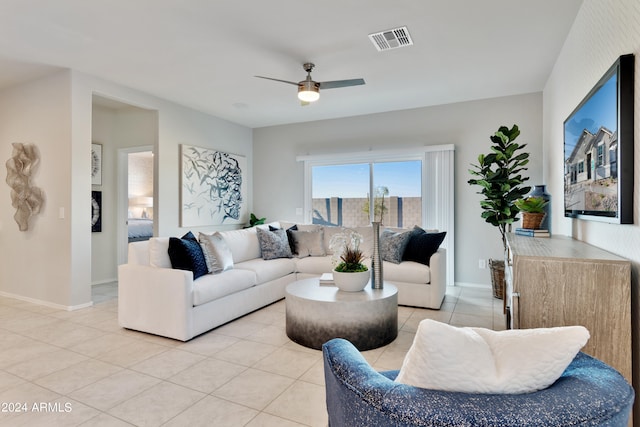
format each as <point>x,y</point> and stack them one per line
<point>212,190</point>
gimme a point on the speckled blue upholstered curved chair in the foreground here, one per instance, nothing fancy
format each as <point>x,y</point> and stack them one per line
<point>589,393</point>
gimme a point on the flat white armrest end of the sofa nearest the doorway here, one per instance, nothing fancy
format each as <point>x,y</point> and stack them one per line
<point>155,300</point>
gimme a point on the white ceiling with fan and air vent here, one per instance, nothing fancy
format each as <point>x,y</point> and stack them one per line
<point>204,53</point>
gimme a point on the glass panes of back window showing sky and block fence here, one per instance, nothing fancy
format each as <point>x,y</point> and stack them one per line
<point>340,193</point>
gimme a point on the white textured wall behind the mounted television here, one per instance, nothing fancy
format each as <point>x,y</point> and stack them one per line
<point>602,31</point>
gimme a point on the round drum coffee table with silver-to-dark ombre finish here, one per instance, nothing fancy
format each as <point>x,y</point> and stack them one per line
<point>315,314</point>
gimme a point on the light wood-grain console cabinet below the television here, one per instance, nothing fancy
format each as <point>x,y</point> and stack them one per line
<point>560,281</point>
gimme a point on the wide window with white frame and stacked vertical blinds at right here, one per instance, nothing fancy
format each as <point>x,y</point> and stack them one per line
<point>417,185</point>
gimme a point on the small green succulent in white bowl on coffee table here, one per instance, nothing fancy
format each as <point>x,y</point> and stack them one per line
<point>349,273</point>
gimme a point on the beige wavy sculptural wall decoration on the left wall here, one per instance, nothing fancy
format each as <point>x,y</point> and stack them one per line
<point>25,197</point>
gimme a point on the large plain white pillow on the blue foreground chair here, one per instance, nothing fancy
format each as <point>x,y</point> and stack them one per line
<point>478,360</point>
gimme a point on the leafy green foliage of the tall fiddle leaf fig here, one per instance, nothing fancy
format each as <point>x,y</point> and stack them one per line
<point>499,175</point>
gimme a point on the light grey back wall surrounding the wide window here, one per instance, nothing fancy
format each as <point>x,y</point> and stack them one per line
<point>278,186</point>
